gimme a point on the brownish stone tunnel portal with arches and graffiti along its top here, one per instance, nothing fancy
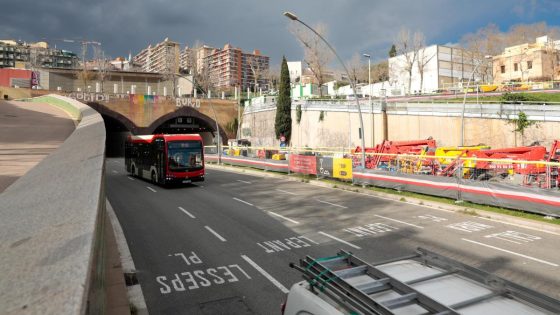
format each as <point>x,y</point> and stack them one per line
<point>150,114</point>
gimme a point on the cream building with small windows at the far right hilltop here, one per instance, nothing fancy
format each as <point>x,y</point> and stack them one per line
<point>539,61</point>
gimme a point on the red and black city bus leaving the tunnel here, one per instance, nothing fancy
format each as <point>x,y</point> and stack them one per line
<point>165,158</point>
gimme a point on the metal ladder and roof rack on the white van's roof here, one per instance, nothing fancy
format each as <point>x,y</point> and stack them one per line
<point>351,282</point>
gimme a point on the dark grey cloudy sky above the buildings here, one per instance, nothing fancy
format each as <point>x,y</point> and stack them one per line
<point>354,26</point>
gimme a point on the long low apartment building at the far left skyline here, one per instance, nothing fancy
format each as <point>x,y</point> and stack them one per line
<point>15,54</point>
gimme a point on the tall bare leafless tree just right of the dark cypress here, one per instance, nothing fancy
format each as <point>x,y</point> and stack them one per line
<point>317,54</point>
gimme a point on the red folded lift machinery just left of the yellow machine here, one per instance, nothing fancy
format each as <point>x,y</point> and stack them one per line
<point>386,151</point>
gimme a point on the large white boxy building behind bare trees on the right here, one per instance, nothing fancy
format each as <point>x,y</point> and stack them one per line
<point>441,68</point>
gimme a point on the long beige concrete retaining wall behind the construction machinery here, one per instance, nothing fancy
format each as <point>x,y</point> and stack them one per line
<point>340,124</point>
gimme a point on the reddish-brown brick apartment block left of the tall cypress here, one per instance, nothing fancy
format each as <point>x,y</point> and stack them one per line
<point>231,67</point>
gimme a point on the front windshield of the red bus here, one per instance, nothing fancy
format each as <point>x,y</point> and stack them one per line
<point>184,155</point>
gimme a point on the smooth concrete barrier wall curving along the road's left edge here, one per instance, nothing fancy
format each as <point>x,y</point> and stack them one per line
<point>51,223</point>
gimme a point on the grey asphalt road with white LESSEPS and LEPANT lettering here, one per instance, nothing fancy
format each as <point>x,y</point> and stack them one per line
<point>223,246</point>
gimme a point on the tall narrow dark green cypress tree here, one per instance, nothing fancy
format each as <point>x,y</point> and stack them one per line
<point>283,121</point>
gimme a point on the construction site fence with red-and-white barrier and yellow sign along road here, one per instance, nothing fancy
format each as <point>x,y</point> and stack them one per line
<point>531,186</point>
